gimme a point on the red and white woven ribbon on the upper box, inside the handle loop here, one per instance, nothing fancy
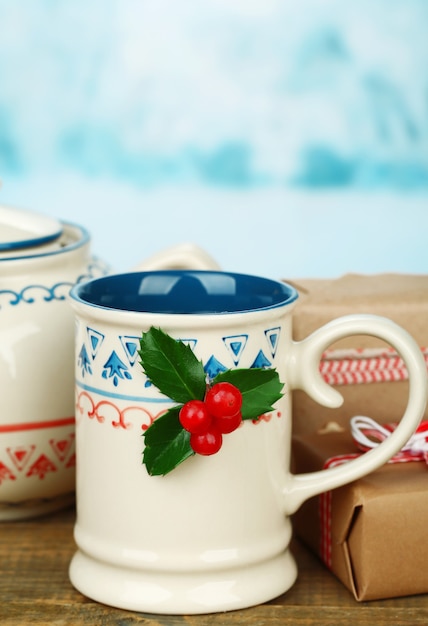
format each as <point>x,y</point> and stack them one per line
<point>349,367</point>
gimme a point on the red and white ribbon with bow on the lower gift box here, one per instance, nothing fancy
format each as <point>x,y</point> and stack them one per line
<point>368,434</point>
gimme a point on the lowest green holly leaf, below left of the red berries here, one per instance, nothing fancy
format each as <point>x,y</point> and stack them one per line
<point>166,444</point>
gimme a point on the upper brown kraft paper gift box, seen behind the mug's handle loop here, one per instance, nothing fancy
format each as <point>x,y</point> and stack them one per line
<point>402,298</point>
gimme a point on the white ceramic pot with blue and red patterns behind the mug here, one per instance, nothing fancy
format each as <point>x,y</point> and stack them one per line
<point>40,260</point>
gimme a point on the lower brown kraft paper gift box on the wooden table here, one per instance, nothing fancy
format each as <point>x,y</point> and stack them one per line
<point>372,534</point>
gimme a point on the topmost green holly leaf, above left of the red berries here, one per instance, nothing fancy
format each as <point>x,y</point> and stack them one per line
<point>172,366</point>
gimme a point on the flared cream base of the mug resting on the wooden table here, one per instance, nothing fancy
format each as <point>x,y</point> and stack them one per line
<point>182,593</point>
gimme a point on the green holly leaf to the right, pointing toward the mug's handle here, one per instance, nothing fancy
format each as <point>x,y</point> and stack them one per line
<point>260,389</point>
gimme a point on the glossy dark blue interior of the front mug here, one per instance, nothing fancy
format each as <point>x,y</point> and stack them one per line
<point>184,292</point>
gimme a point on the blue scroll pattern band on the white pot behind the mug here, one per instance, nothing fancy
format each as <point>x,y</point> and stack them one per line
<point>33,293</point>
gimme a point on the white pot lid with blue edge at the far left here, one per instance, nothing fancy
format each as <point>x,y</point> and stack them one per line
<point>20,228</point>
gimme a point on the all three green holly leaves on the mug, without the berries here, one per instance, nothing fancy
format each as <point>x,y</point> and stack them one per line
<point>172,367</point>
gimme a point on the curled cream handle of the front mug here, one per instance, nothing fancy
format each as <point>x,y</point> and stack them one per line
<point>303,373</point>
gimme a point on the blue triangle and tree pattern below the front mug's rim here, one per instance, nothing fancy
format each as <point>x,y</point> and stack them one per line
<point>117,364</point>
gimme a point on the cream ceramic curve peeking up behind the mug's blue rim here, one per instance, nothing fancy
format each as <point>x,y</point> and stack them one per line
<point>185,256</point>
